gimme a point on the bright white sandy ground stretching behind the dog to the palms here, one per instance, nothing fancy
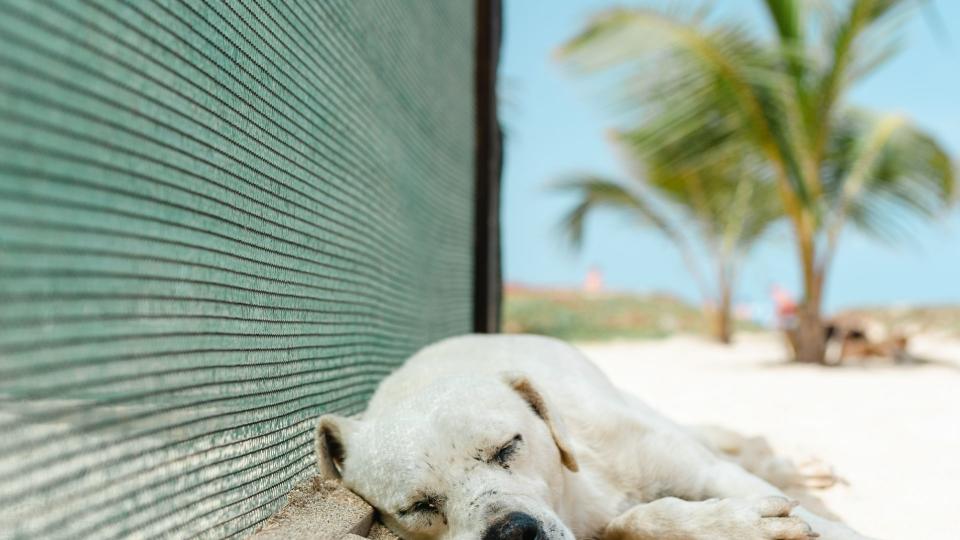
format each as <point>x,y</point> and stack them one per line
<point>892,432</point>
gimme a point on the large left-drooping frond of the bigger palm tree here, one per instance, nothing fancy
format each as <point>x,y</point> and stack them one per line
<point>713,83</point>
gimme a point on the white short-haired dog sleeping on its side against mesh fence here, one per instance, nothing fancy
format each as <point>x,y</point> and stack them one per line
<point>522,438</point>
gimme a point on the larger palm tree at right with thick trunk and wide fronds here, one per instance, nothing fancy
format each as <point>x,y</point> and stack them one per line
<point>720,92</point>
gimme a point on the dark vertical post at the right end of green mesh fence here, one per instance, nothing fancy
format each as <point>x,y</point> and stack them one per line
<point>487,278</point>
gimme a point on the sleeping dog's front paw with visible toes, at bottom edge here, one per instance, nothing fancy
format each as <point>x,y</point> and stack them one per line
<point>765,518</point>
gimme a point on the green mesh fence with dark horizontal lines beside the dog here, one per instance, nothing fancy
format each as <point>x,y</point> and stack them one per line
<point>218,220</point>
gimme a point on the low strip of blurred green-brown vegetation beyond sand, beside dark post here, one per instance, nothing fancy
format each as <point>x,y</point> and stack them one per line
<point>579,316</point>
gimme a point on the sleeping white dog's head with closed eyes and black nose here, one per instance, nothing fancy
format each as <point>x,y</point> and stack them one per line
<point>467,459</point>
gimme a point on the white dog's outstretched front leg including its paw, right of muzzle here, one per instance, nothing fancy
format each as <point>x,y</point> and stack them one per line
<point>764,518</point>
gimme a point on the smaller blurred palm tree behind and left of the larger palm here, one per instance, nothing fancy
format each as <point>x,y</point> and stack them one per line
<point>713,215</point>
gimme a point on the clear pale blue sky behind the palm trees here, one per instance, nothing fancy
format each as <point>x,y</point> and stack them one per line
<point>555,126</point>
